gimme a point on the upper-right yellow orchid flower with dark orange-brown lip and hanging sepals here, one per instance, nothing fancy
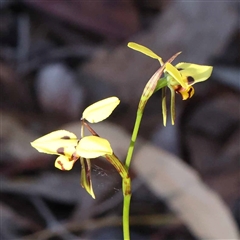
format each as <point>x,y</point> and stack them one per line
<point>180,78</point>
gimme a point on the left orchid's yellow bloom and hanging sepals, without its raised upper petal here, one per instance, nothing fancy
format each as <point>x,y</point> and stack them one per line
<point>66,145</point>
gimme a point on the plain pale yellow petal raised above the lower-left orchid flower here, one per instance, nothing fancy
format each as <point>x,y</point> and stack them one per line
<point>100,110</point>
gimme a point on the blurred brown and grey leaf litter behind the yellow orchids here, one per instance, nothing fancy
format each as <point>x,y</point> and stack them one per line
<point>57,57</point>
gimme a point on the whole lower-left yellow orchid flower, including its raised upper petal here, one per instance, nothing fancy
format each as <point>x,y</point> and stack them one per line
<point>70,148</point>
